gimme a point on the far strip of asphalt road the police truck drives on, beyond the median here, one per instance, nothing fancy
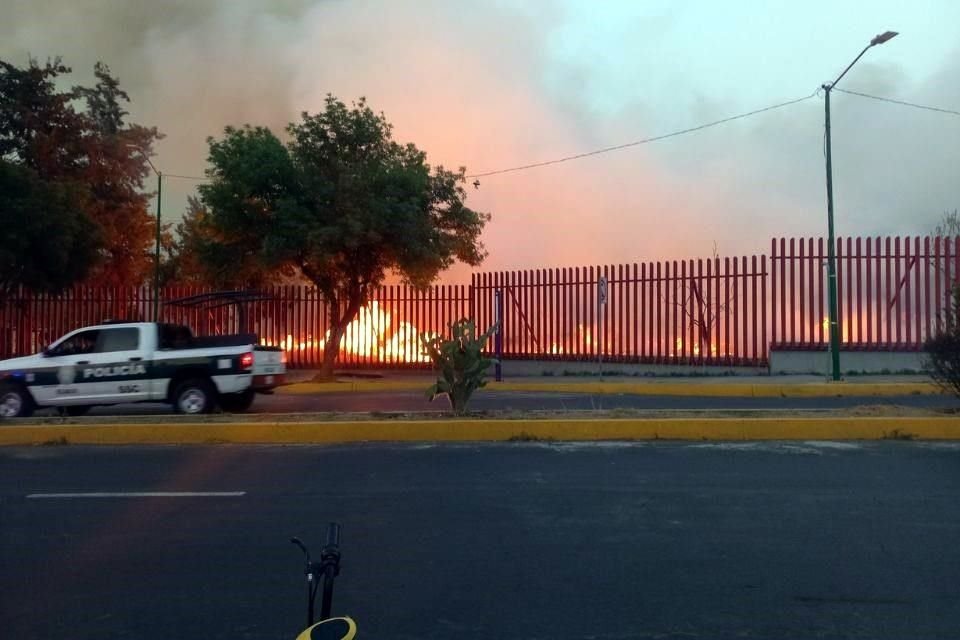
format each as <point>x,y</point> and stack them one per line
<point>414,401</point>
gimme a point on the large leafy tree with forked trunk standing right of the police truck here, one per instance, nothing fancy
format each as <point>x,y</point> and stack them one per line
<point>342,203</point>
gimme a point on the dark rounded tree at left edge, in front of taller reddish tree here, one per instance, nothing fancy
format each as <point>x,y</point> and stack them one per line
<point>47,243</point>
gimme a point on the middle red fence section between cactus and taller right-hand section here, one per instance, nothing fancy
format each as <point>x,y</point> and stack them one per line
<point>693,311</point>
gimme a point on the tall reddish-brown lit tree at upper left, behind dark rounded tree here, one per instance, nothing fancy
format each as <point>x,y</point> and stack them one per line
<point>79,139</point>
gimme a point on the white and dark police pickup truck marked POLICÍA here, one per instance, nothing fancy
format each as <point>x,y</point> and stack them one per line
<point>117,363</point>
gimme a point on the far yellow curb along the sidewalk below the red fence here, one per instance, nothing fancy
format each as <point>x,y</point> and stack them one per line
<point>711,389</point>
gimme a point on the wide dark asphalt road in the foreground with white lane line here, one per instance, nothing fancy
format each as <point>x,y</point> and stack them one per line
<point>514,541</point>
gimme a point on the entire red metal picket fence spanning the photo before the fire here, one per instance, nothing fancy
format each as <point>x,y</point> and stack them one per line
<point>893,292</point>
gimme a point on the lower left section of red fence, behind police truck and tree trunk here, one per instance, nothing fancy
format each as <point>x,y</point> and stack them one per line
<point>386,332</point>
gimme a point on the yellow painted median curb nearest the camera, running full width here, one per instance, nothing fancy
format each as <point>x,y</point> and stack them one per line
<point>820,428</point>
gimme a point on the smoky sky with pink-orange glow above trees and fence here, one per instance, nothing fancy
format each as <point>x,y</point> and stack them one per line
<point>500,83</point>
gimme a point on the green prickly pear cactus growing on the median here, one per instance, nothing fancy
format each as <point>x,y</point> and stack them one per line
<point>460,362</point>
